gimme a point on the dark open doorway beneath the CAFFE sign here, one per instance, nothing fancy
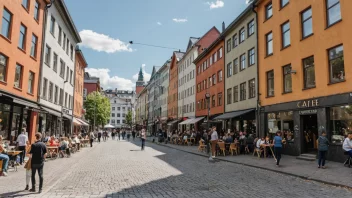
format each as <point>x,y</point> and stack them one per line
<point>309,133</point>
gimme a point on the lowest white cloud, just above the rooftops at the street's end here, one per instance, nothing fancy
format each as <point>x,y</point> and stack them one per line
<point>111,82</point>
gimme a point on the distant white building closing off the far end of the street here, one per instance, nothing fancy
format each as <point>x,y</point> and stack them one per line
<point>121,102</point>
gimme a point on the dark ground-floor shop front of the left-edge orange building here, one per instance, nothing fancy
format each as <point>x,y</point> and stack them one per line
<point>17,114</point>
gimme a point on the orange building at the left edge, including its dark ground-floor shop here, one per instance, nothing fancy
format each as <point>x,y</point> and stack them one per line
<point>21,30</point>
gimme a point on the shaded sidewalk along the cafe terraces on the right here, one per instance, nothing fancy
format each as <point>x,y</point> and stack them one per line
<point>335,174</point>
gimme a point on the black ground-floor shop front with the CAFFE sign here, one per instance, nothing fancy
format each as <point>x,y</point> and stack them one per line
<point>303,121</point>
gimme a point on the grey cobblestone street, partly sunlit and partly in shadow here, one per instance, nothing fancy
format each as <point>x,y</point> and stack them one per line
<point>120,169</point>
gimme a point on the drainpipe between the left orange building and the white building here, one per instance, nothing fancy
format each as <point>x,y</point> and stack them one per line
<point>42,49</point>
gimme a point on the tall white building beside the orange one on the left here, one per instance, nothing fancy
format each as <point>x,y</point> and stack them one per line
<point>57,70</point>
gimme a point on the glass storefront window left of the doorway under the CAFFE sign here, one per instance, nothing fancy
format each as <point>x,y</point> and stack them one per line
<point>281,121</point>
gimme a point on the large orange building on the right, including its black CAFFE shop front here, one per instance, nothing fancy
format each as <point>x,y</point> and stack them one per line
<point>305,72</point>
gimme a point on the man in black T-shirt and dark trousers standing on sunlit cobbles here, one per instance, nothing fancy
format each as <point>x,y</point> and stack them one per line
<point>38,154</point>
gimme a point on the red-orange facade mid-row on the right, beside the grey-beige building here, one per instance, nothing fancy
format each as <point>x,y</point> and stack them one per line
<point>210,80</point>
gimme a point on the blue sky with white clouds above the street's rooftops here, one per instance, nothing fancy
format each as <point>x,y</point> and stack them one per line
<point>106,26</point>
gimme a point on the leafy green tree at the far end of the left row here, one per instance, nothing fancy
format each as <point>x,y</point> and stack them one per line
<point>97,108</point>
